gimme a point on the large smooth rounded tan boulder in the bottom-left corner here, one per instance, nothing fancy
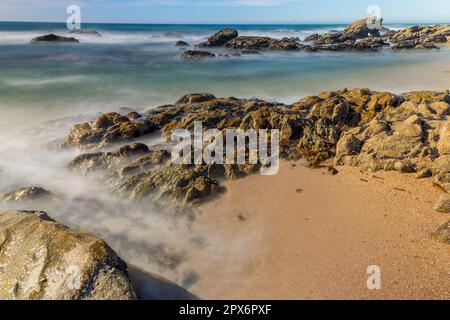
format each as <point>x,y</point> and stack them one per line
<point>41,259</point>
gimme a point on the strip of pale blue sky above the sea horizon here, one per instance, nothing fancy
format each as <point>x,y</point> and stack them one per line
<point>226,11</point>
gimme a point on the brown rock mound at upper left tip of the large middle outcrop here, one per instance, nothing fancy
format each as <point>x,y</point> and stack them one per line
<point>106,129</point>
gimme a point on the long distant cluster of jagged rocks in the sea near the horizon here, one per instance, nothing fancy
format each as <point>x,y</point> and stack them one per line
<point>356,37</point>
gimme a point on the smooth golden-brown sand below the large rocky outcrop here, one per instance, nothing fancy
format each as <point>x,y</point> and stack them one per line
<point>317,242</point>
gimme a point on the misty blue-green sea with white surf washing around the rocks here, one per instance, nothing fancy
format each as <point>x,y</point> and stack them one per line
<point>137,66</point>
